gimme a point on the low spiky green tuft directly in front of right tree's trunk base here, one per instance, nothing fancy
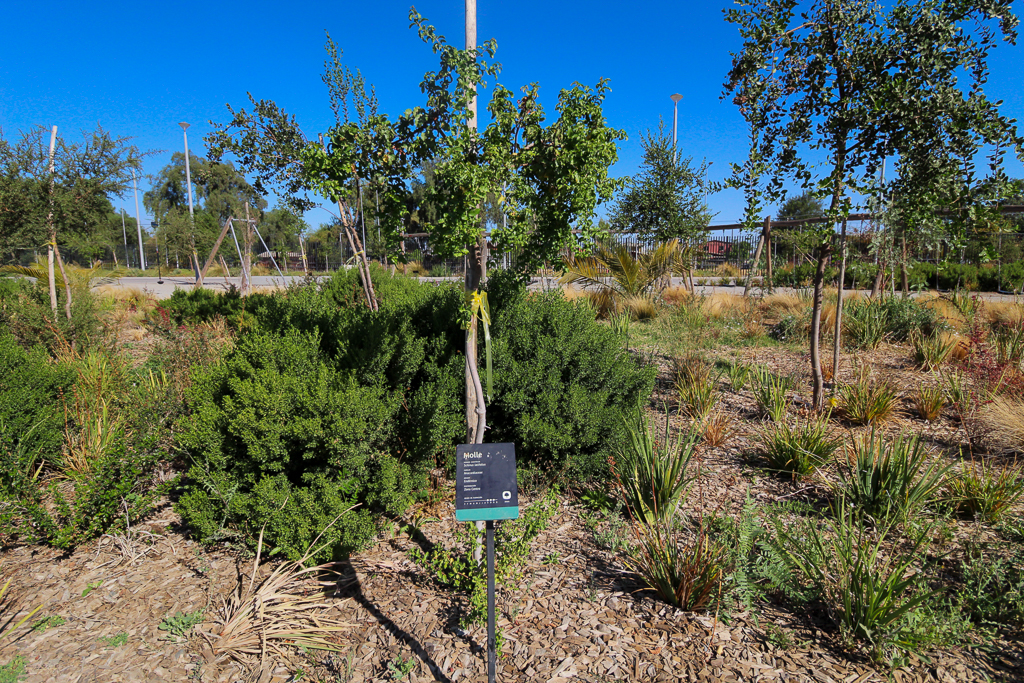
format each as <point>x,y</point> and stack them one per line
<point>800,450</point>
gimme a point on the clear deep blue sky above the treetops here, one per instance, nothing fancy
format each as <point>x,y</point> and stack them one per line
<point>139,69</point>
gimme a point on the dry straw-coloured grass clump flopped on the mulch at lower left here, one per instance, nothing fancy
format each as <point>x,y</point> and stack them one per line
<point>286,609</point>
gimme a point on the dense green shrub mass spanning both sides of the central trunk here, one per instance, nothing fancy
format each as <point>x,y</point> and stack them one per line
<point>324,405</point>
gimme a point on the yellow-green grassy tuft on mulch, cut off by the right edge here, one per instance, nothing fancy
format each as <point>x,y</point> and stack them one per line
<point>984,490</point>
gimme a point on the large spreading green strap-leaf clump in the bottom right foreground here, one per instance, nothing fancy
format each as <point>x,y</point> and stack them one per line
<point>867,587</point>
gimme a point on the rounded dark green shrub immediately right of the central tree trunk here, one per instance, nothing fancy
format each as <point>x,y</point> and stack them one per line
<point>562,382</point>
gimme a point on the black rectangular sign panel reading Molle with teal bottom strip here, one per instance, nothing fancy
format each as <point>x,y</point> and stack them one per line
<point>486,484</point>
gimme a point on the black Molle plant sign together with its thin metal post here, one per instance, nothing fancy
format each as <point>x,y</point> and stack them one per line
<point>487,491</point>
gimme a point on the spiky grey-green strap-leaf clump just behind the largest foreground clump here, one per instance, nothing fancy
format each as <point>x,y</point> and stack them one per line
<point>890,480</point>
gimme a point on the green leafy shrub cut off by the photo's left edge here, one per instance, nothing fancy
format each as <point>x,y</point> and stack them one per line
<point>32,390</point>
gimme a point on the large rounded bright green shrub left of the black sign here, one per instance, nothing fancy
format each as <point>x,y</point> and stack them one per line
<point>281,436</point>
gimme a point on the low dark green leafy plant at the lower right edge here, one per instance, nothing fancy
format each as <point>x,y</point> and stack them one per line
<point>993,589</point>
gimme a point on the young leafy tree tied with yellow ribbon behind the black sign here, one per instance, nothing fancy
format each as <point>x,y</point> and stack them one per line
<point>550,179</point>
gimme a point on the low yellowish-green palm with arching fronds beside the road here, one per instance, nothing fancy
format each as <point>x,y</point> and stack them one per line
<point>618,271</point>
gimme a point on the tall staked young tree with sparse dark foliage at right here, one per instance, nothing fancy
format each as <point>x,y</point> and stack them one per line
<point>856,86</point>
